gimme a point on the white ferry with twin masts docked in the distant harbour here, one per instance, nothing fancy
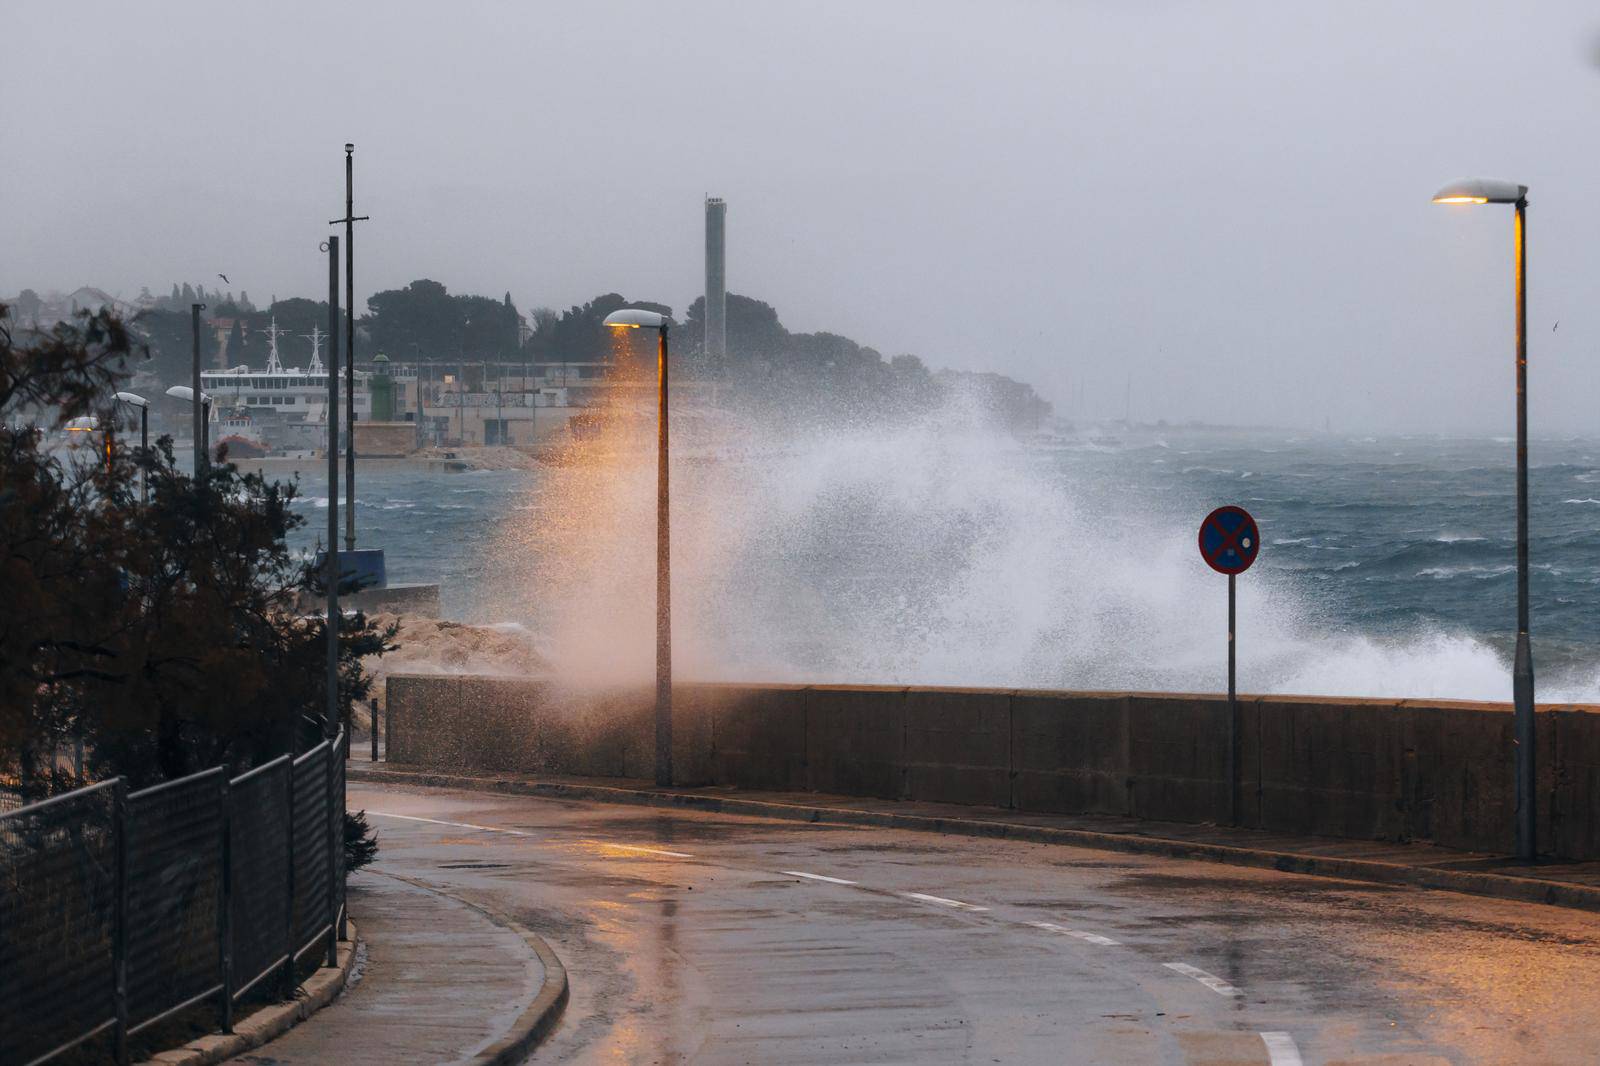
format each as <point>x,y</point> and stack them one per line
<point>281,401</point>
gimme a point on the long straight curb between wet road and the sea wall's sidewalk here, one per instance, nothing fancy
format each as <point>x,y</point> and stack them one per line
<point>1470,883</point>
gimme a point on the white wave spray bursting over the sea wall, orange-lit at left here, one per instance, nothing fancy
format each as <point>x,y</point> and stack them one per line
<point>932,553</point>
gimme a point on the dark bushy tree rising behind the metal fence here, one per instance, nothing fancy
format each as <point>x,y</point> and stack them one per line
<point>164,633</point>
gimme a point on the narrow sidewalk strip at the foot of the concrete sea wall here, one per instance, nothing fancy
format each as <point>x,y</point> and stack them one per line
<point>1423,865</point>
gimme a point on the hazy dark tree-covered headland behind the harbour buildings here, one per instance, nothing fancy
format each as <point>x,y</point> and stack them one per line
<point>783,374</point>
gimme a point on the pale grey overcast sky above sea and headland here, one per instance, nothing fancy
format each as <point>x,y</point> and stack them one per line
<point>1223,202</point>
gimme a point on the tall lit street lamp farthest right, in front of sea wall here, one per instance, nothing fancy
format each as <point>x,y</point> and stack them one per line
<point>1492,191</point>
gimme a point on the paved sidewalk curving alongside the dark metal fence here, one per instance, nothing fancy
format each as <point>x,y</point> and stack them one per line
<point>439,984</point>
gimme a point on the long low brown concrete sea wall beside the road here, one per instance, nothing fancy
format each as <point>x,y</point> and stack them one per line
<point>1362,769</point>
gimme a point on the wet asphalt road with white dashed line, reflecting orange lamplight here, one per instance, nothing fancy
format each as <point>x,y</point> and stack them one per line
<point>714,939</point>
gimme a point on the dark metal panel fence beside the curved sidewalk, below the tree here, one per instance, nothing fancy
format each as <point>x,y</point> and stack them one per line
<point>121,910</point>
